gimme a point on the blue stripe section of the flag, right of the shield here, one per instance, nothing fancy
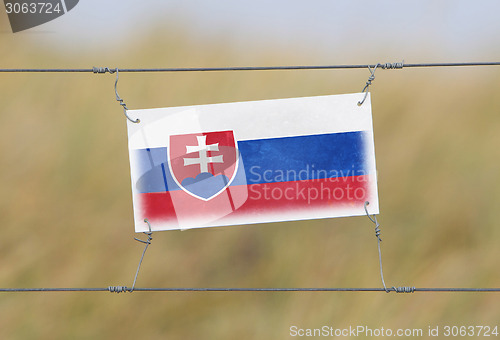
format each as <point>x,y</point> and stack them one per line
<point>304,158</point>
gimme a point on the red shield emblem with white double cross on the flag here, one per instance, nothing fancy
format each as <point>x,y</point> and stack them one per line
<point>203,164</point>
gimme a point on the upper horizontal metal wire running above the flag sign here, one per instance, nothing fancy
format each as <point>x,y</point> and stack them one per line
<point>398,65</point>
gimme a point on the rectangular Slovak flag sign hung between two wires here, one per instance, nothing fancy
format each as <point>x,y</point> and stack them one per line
<point>252,162</point>
